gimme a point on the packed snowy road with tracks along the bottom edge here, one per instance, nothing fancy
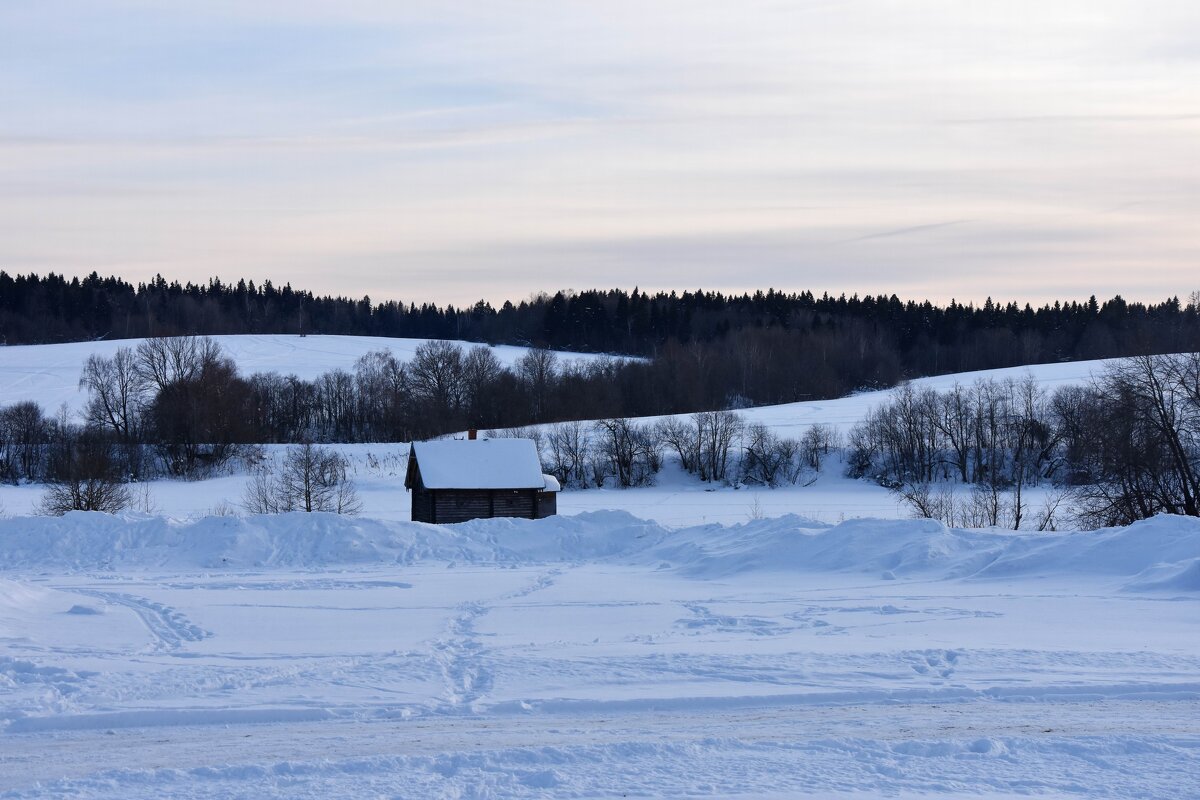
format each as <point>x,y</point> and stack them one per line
<point>1113,748</point>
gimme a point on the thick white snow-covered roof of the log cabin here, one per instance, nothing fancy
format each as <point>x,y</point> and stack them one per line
<point>479,465</point>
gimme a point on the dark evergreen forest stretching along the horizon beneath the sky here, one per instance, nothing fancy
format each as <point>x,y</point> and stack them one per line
<point>908,339</point>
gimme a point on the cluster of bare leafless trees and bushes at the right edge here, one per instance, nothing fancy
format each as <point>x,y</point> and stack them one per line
<point>1123,448</point>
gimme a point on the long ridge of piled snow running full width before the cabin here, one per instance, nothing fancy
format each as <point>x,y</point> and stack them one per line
<point>1156,555</point>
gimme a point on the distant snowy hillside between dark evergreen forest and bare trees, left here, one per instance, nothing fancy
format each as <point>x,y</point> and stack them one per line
<point>50,374</point>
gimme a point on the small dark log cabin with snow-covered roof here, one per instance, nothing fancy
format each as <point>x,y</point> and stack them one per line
<point>454,480</point>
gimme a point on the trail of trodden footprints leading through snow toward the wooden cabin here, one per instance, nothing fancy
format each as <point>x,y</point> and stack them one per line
<point>461,657</point>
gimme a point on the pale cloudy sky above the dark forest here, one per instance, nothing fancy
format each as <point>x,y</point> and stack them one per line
<point>454,152</point>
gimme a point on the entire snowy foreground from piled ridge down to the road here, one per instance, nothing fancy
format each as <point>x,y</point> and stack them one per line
<point>596,655</point>
